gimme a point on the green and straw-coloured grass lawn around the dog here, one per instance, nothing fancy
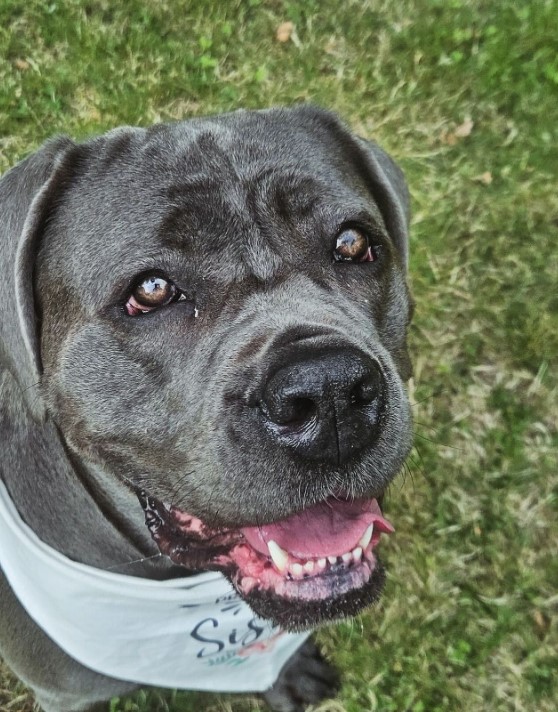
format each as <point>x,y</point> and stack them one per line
<point>464,94</point>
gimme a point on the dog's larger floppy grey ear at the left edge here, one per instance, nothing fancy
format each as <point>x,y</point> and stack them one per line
<point>27,194</point>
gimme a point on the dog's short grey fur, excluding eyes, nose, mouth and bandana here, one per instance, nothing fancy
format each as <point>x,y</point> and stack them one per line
<point>241,211</point>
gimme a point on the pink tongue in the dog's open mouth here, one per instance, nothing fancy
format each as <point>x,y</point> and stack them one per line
<point>330,528</point>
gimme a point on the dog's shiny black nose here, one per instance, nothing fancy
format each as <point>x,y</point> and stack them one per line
<point>325,407</point>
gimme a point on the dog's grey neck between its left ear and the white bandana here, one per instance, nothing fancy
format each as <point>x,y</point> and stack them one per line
<point>68,508</point>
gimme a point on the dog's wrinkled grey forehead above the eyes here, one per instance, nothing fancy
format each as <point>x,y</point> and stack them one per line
<point>218,191</point>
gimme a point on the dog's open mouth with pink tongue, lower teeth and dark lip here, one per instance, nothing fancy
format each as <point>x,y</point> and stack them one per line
<point>314,566</point>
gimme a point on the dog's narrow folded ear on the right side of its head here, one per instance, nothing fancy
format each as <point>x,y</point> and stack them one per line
<point>389,188</point>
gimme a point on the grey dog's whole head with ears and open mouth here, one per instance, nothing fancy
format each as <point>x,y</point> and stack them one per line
<point>216,311</point>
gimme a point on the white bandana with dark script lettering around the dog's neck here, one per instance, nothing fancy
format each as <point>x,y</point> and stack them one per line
<point>193,633</point>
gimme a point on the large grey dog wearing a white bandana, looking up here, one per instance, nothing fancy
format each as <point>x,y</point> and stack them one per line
<point>203,331</point>
